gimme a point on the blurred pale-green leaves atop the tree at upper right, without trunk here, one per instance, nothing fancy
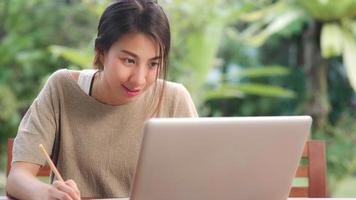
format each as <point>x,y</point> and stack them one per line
<point>278,17</point>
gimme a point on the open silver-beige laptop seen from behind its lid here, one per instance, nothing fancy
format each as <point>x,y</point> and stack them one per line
<point>244,158</point>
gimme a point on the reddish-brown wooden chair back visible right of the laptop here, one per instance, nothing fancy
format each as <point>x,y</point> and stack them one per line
<point>314,169</point>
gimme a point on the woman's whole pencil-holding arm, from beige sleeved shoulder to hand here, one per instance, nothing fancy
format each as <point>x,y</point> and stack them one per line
<point>39,125</point>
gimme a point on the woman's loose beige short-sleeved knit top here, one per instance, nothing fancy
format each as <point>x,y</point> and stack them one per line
<point>94,144</point>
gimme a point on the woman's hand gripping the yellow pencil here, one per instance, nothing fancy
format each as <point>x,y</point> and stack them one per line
<point>67,190</point>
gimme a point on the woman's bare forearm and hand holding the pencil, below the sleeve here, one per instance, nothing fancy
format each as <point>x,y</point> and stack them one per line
<point>23,184</point>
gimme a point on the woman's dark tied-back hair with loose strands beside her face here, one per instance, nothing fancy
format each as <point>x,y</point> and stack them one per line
<point>134,16</point>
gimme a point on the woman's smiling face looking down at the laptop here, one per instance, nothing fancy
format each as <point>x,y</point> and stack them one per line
<point>130,66</point>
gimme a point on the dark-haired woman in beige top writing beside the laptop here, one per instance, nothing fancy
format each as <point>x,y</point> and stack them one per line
<point>92,120</point>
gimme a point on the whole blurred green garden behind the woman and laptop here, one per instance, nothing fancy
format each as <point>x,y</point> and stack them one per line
<point>237,58</point>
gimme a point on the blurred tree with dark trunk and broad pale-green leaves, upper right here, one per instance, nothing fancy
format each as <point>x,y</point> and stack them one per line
<point>306,18</point>
